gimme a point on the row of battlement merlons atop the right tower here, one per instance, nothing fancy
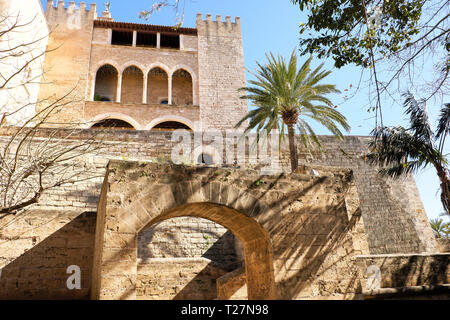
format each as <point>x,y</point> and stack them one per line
<point>218,26</point>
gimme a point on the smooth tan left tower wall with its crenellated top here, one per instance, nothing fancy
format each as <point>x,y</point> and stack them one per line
<point>66,65</point>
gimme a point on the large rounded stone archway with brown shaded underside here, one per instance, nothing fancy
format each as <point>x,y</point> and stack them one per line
<point>120,219</point>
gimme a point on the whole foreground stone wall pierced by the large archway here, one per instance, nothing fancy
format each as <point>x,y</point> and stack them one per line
<point>313,224</point>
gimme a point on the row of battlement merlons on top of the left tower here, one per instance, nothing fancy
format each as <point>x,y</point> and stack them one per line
<point>60,11</point>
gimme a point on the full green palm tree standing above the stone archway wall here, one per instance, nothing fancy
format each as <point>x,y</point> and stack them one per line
<point>285,95</point>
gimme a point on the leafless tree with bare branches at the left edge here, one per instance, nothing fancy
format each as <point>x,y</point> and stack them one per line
<point>35,155</point>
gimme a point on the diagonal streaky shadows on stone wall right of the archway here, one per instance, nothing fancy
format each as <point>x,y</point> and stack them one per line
<point>311,234</point>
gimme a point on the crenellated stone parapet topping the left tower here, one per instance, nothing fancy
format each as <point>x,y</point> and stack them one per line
<point>72,16</point>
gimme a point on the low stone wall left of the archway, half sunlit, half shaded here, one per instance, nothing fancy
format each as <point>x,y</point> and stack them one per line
<point>36,249</point>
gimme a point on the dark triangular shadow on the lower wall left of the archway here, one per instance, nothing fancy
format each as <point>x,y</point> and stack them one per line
<point>41,272</point>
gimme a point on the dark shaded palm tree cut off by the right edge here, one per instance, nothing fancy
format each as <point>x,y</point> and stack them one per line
<point>403,151</point>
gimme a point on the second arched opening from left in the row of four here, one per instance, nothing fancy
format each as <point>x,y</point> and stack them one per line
<point>132,85</point>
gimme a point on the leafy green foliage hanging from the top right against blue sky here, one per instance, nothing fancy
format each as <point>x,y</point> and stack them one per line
<point>343,34</point>
